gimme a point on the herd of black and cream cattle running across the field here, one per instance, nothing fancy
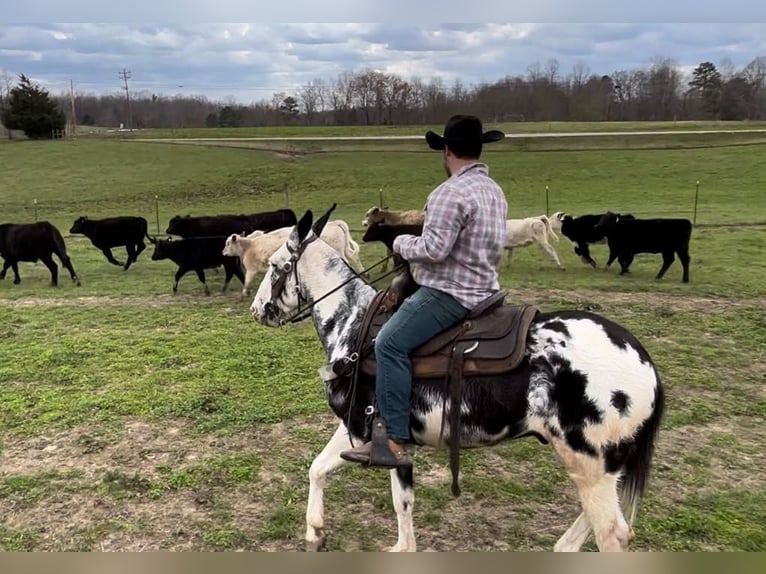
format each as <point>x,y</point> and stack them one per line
<point>242,244</point>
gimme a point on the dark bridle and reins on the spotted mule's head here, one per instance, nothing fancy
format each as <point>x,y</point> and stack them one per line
<point>281,274</point>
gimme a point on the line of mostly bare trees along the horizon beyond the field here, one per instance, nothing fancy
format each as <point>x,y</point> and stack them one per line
<point>659,91</point>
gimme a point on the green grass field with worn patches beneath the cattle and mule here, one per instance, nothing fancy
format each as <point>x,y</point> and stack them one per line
<point>137,420</point>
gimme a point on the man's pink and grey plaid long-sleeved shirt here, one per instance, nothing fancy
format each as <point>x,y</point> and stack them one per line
<point>463,237</point>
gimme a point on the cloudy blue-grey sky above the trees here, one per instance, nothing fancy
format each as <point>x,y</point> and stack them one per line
<point>250,62</point>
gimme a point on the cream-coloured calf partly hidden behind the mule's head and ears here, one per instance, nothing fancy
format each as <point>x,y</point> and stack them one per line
<point>255,249</point>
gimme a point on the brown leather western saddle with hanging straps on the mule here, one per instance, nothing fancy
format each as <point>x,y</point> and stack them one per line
<point>491,340</point>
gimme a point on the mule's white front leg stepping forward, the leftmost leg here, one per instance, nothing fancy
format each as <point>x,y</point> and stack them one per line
<point>327,460</point>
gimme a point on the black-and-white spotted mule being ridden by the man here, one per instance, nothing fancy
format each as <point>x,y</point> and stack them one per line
<point>583,384</point>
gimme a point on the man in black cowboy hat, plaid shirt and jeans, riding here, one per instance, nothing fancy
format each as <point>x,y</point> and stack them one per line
<point>457,255</point>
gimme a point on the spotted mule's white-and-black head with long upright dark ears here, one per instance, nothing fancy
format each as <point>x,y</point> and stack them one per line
<point>280,293</point>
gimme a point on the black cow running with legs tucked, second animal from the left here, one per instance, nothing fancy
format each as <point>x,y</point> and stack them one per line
<point>114,232</point>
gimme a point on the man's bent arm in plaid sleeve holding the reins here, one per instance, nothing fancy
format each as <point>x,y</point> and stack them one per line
<point>445,217</point>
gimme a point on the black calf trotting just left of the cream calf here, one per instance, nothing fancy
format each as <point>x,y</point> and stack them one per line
<point>197,254</point>
